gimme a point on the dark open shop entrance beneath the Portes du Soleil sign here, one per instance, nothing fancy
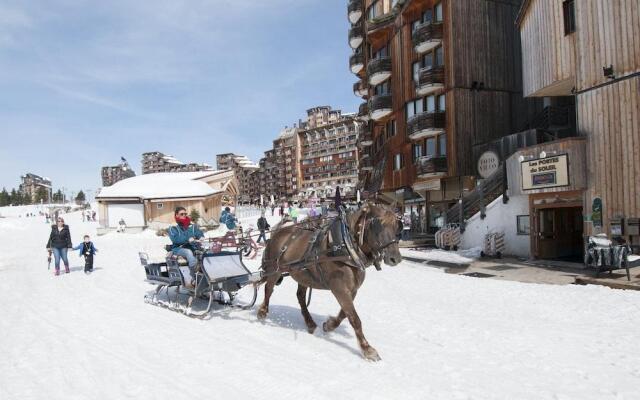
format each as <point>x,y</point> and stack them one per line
<point>557,233</point>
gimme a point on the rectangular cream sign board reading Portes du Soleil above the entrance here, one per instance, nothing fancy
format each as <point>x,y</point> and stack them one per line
<point>545,172</point>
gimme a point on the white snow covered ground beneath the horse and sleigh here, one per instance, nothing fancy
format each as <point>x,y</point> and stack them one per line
<point>440,336</point>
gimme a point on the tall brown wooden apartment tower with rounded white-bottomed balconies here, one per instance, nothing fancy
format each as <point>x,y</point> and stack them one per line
<point>439,78</point>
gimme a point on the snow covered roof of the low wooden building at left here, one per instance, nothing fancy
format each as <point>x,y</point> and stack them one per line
<point>161,185</point>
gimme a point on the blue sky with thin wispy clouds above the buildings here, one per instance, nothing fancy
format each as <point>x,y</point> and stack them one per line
<point>85,82</point>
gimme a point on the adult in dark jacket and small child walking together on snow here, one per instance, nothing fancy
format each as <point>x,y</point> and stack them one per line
<point>60,242</point>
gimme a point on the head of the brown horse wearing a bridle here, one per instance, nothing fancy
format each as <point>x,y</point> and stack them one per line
<point>377,232</point>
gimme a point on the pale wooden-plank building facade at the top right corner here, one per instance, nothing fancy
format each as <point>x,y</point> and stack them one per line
<point>589,50</point>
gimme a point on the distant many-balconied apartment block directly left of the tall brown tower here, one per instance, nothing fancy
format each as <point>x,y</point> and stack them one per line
<point>329,153</point>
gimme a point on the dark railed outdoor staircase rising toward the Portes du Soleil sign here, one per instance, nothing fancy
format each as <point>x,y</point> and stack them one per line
<point>486,192</point>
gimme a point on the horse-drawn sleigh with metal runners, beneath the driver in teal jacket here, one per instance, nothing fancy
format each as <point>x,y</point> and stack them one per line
<point>219,278</point>
